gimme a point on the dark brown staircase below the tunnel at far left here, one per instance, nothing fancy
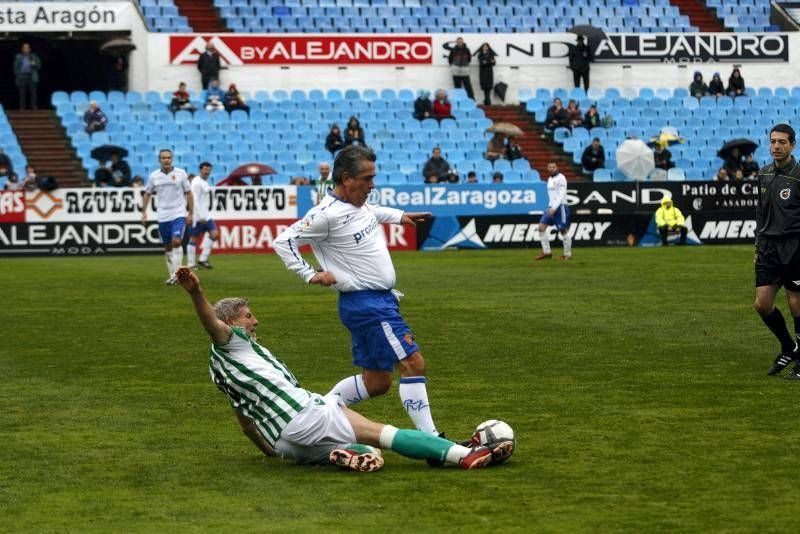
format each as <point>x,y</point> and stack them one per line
<point>47,147</point>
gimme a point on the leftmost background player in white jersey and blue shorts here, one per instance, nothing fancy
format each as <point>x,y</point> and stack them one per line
<point>173,206</point>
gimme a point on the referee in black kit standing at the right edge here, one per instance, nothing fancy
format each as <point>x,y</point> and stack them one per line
<point>777,261</point>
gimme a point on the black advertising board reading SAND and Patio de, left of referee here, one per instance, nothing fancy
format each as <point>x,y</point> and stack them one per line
<point>629,197</point>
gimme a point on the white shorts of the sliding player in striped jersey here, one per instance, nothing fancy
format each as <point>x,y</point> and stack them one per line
<point>313,433</point>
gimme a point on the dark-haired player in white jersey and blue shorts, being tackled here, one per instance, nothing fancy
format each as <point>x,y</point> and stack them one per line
<point>348,242</point>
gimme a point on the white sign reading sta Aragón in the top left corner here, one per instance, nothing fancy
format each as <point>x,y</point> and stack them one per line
<point>66,16</point>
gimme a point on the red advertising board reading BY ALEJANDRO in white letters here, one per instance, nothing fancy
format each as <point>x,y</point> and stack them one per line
<point>284,49</point>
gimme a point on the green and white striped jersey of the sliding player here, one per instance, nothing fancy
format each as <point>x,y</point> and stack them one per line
<point>257,383</point>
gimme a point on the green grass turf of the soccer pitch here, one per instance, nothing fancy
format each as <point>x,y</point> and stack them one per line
<point>634,378</point>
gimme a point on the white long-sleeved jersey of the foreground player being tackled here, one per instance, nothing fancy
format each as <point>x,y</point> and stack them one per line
<point>347,241</point>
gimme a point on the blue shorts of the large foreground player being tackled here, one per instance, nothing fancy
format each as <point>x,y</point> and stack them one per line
<point>380,336</point>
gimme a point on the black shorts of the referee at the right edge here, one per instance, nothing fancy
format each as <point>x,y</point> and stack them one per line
<point>778,263</point>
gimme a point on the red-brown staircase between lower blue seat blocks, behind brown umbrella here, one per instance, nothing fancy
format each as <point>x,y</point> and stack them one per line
<point>534,144</point>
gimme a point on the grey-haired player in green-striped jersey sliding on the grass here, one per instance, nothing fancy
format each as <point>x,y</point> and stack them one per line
<point>283,419</point>
